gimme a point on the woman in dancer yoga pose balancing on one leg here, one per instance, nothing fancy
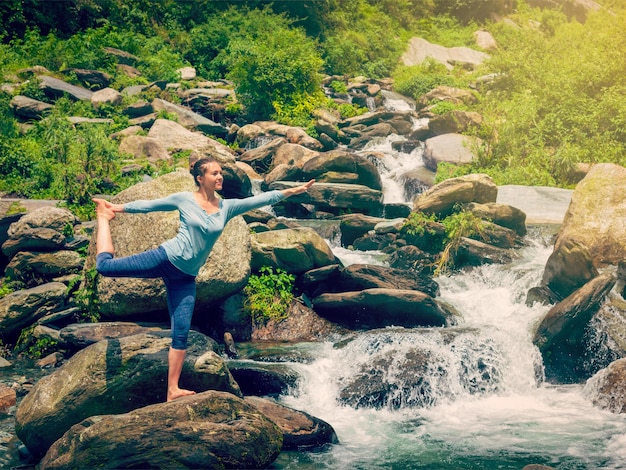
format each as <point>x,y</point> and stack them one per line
<point>203,216</point>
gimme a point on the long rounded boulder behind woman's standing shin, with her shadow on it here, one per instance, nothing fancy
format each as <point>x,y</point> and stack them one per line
<point>114,376</point>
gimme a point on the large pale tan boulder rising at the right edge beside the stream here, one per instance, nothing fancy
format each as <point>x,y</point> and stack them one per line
<point>594,223</point>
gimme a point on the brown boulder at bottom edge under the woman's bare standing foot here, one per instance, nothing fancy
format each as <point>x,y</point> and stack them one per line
<point>209,430</point>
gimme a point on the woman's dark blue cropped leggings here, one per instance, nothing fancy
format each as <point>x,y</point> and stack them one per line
<point>180,287</point>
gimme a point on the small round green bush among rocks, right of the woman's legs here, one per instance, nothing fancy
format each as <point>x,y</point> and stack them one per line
<point>269,295</point>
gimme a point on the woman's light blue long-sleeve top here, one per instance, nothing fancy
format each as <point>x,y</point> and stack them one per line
<point>198,231</point>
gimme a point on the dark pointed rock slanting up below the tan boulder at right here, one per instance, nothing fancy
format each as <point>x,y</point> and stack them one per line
<point>560,335</point>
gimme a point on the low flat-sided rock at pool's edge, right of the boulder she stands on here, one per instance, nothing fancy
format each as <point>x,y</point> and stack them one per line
<point>301,431</point>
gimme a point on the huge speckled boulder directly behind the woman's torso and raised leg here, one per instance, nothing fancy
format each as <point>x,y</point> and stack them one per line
<point>225,272</point>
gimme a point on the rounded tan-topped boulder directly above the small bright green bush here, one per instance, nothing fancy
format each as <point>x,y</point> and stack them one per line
<point>293,250</point>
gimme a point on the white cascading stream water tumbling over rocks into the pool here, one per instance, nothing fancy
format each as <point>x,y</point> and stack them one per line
<point>465,397</point>
